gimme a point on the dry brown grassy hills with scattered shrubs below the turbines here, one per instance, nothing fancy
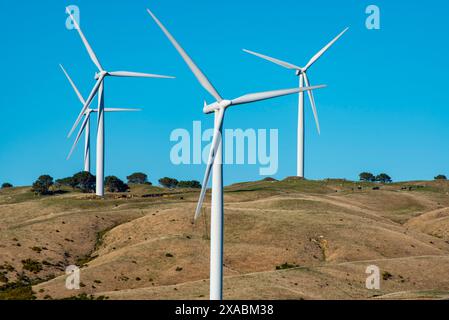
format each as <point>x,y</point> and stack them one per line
<point>291,239</point>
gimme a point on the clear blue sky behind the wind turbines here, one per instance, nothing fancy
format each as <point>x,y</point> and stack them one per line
<point>385,110</point>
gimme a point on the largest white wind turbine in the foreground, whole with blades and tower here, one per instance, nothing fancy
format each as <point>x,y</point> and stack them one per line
<point>215,160</point>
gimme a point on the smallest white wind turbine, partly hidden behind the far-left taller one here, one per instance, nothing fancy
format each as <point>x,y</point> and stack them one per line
<point>85,127</point>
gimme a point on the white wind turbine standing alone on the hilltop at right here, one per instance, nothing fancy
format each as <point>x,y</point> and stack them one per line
<point>301,72</point>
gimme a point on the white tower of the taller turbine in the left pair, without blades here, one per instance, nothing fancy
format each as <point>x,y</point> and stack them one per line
<point>100,143</point>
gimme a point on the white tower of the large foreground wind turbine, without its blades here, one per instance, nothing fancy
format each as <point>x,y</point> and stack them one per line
<point>216,223</point>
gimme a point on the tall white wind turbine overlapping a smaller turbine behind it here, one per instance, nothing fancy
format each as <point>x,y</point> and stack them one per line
<point>99,89</point>
